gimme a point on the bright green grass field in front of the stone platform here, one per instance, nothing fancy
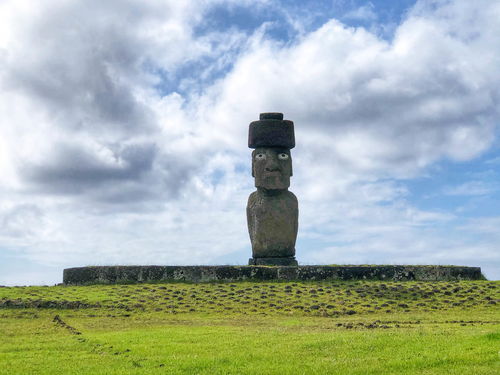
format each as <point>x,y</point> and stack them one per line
<point>365,327</point>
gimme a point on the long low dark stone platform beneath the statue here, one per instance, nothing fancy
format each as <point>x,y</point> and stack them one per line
<point>144,274</point>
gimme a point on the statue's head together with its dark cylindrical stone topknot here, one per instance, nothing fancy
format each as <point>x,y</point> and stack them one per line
<point>272,138</point>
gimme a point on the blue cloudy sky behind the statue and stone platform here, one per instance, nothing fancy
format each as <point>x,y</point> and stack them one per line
<point>124,125</point>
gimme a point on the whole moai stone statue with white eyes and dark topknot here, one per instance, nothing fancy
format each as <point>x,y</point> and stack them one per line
<point>272,210</point>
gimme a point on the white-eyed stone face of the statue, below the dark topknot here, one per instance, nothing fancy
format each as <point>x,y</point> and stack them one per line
<point>272,167</point>
